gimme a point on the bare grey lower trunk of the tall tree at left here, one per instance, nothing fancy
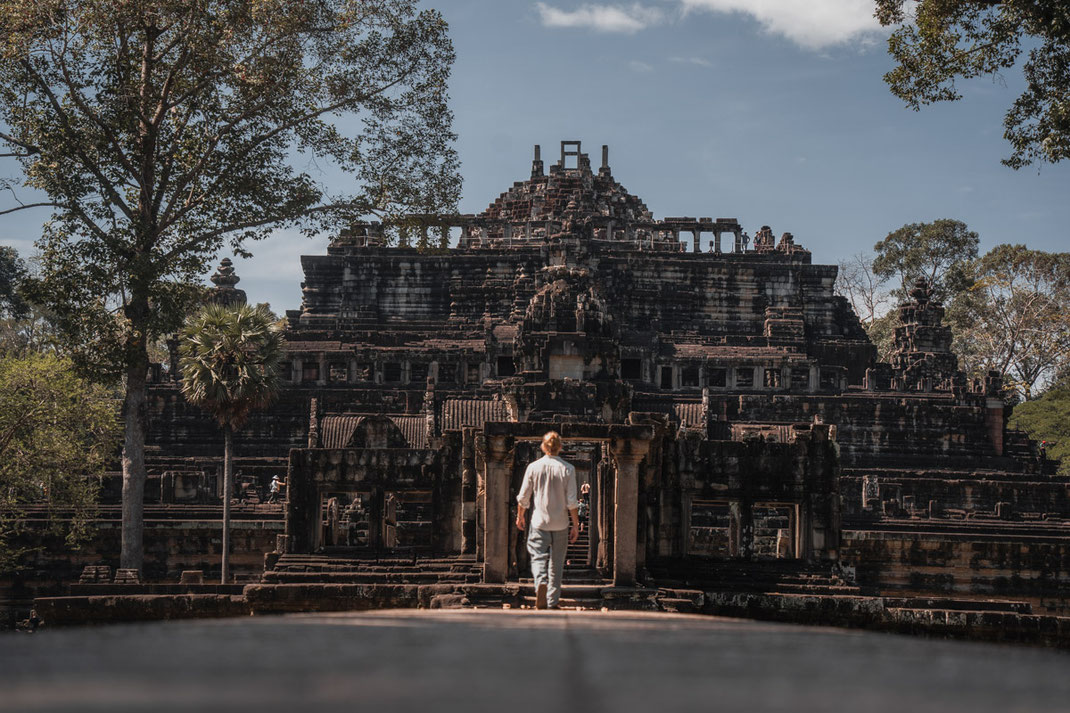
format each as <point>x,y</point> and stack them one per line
<point>133,461</point>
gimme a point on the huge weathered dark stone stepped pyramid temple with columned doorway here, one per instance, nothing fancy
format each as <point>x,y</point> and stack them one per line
<point>726,407</point>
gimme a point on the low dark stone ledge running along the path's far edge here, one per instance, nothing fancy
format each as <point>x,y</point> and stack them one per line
<point>850,612</point>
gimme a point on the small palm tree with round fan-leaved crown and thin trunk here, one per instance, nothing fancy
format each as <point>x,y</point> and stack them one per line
<point>230,359</point>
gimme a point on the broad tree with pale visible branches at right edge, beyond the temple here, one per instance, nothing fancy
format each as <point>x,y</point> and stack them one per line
<point>1016,317</point>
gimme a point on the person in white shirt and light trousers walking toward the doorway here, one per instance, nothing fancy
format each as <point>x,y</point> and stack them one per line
<point>549,493</point>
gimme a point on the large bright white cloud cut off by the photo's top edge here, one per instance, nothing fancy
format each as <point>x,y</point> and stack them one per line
<point>811,24</point>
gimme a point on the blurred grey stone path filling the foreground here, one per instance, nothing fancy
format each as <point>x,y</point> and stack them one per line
<point>515,662</point>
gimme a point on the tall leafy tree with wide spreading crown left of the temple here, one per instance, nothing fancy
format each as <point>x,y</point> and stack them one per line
<point>158,130</point>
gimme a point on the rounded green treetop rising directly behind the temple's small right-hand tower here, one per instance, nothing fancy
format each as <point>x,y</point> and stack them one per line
<point>937,252</point>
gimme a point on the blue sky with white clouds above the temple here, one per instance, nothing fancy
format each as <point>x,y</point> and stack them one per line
<point>771,112</point>
